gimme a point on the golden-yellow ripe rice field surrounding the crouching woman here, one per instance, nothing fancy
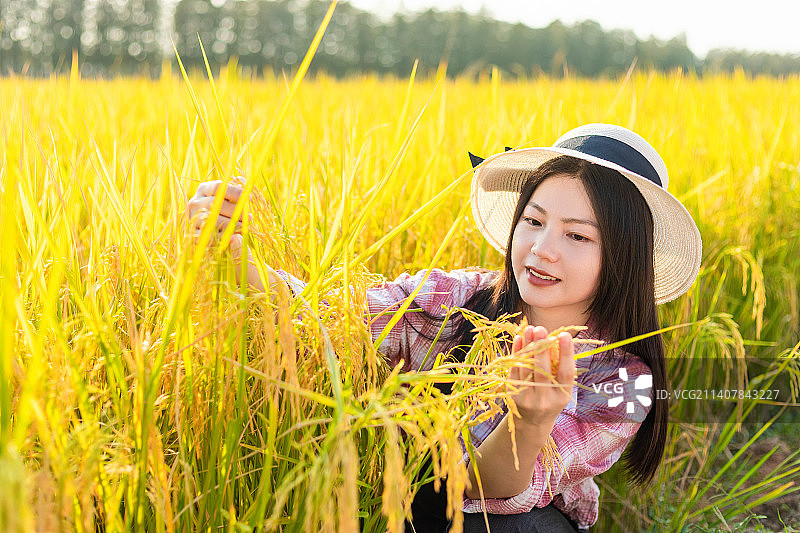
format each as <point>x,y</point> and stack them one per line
<point>142,388</point>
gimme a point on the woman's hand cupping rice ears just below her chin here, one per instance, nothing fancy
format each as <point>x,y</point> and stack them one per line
<point>540,403</point>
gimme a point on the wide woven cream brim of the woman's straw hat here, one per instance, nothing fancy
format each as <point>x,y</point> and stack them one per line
<point>677,252</point>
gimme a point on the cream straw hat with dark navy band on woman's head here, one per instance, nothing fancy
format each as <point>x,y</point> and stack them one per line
<point>498,180</point>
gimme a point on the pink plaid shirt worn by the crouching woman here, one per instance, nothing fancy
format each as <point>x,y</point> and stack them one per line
<point>592,431</point>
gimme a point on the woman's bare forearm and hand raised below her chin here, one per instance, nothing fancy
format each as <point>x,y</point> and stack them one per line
<point>539,405</point>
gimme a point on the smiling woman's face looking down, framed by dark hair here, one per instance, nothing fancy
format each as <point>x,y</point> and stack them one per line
<point>556,254</point>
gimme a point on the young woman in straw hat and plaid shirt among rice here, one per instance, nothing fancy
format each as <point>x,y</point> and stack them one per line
<point>590,237</point>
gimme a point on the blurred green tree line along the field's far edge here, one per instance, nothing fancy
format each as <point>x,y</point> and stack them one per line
<point>112,37</point>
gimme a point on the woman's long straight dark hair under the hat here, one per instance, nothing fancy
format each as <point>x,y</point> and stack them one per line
<point>624,303</point>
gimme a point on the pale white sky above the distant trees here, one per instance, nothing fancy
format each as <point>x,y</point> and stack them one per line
<point>758,26</point>
